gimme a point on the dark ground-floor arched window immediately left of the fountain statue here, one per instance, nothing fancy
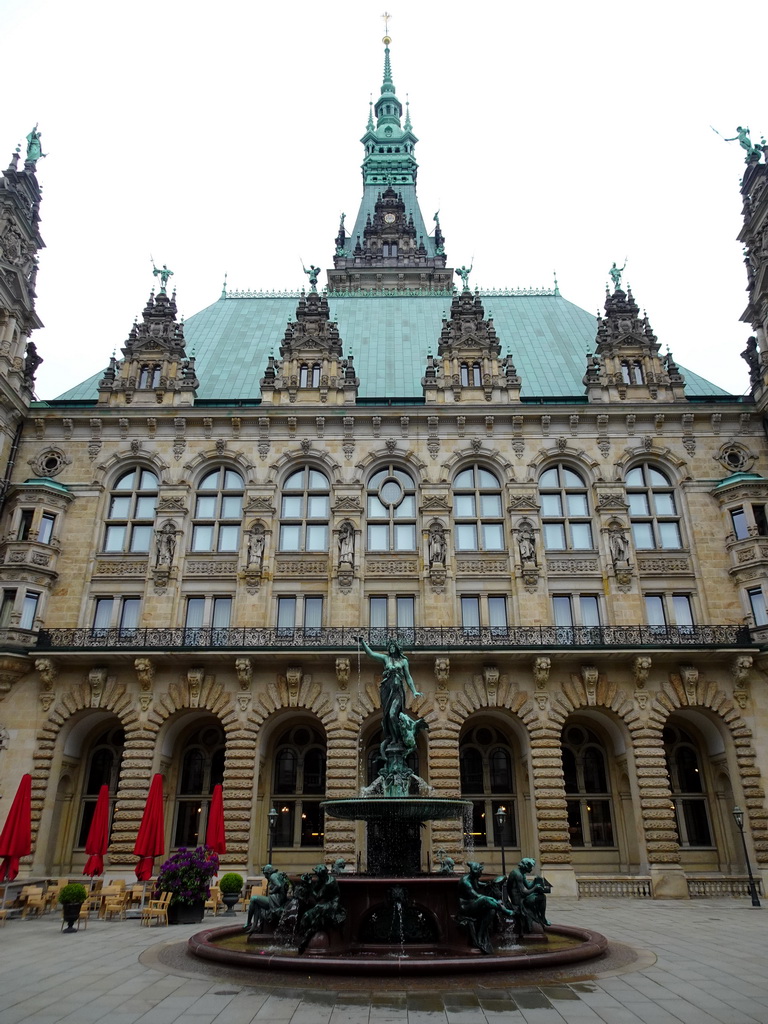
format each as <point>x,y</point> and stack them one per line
<point>300,788</point>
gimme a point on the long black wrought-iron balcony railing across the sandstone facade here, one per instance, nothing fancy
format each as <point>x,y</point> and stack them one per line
<point>420,637</point>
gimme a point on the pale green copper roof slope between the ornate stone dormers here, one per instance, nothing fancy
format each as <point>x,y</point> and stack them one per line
<point>390,337</point>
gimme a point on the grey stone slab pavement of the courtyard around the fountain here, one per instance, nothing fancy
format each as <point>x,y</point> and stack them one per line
<point>698,962</point>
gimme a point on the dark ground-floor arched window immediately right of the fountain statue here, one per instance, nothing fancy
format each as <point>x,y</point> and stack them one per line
<point>488,779</point>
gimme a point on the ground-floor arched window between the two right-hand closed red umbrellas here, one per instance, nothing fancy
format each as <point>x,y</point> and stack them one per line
<point>201,769</point>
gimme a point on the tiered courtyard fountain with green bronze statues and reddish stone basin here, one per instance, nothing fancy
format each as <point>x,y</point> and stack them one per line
<point>393,920</point>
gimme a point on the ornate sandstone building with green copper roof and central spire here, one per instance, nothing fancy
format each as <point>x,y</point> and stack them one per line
<point>574,556</point>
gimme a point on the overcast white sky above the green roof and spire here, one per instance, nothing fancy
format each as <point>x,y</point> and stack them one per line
<point>226,138</point>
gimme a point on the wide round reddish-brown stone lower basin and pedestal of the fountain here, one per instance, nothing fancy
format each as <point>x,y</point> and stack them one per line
<point>432,942</point>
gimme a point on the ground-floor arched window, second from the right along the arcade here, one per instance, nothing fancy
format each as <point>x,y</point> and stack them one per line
<point>587,789</point>
